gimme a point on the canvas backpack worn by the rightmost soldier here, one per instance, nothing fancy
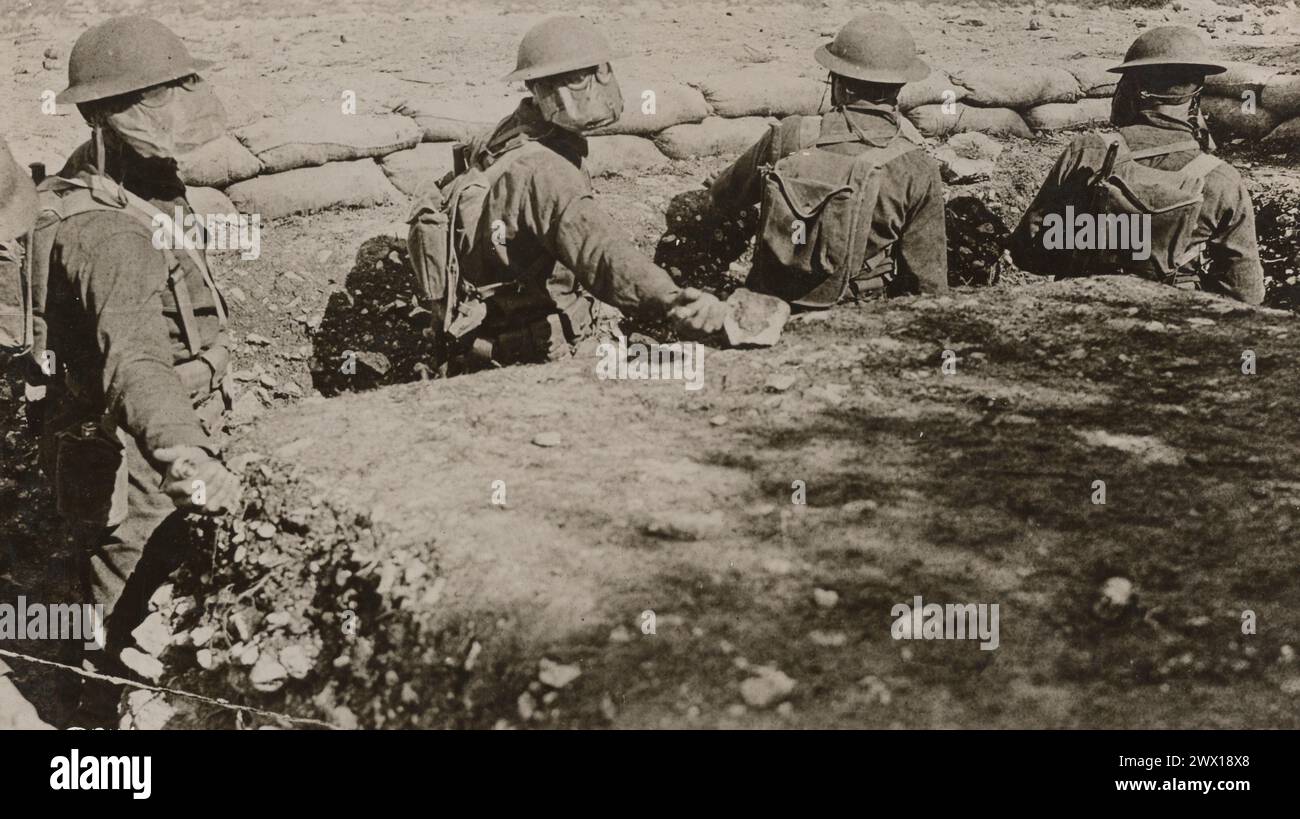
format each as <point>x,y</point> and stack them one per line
<point>1125,188</point>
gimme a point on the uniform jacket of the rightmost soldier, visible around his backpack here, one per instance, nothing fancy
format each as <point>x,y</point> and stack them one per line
<point>1225,226</point>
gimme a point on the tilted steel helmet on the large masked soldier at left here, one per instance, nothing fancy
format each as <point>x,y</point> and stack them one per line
<point>124,55</point>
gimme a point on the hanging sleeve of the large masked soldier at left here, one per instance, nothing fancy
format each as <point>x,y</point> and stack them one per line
<point>119,281</point>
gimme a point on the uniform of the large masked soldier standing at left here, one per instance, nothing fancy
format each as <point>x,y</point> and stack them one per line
<point>140,340</point>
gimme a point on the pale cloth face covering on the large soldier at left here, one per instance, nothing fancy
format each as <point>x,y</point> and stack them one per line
<point>171,120</point>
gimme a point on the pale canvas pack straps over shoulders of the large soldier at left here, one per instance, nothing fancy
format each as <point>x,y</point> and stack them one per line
<point>24,289</point>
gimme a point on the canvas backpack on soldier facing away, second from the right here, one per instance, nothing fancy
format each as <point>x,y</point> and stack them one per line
<point>816,211</point>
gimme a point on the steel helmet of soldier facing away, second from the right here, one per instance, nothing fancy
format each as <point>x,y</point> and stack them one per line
<point>874,49</point>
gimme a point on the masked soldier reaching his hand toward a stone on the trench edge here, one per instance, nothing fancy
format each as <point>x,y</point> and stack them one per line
<point>513,253</point>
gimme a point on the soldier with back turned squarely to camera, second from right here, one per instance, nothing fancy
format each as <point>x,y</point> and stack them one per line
<point>850,206</point>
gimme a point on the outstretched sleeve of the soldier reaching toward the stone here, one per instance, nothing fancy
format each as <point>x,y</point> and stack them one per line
<point>562,213</point>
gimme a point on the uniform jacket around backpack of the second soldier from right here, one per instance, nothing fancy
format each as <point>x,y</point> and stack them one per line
<point>907,249</point>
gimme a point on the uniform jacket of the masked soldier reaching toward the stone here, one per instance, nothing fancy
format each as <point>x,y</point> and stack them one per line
<point>544,250</point>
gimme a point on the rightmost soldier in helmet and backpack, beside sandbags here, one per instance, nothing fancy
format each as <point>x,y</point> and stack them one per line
<point>1156,174</point>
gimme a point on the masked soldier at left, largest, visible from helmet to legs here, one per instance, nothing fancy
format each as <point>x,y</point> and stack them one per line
<point>137,328</point>
